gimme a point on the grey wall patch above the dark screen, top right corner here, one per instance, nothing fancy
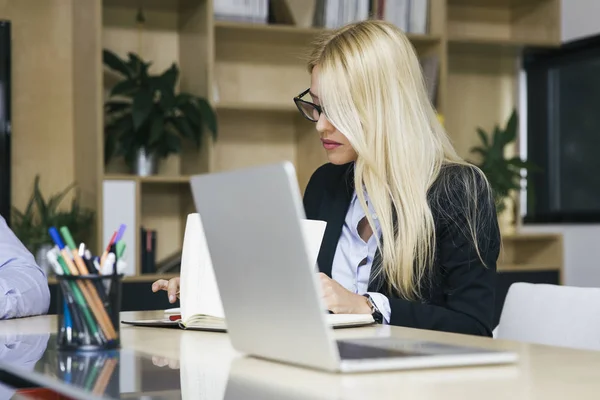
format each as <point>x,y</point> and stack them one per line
<point>579,19</point>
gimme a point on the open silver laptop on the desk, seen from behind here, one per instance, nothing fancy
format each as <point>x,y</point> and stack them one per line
<point>272,297</point>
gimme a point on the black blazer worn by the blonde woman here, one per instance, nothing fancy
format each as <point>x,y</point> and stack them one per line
<point>459,297</point>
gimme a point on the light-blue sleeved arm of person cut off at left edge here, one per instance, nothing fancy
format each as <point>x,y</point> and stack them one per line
<point>23,285</point>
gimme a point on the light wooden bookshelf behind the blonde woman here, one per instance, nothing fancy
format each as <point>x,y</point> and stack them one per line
<point>250,72</point>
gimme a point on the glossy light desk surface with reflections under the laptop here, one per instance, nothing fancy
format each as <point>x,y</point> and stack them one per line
<point>160,363</point>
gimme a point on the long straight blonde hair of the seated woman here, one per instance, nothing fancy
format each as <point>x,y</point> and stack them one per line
<point>372,90</point>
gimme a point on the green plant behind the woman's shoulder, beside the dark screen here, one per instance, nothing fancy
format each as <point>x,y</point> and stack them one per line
<point>502,172</point>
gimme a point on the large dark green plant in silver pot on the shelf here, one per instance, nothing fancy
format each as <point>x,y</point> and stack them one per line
<point>146,120</point>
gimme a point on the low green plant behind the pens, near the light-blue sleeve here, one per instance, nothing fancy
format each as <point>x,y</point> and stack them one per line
<point>31,225</point>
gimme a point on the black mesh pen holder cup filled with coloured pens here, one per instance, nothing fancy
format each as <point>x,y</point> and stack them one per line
<point>88,312</point>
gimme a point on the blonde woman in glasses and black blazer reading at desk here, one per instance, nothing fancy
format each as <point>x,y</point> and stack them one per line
<point>418,245</point>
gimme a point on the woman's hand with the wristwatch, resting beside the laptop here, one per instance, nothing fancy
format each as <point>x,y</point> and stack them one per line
<point>342,301</point>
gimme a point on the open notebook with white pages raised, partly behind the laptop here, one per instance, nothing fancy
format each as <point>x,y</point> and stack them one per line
<point>200,301</point>
